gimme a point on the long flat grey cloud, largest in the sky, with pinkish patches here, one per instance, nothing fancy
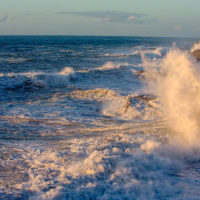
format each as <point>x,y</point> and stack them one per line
<point>113,16</point>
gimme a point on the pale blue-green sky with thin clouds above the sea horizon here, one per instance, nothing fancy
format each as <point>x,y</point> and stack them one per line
<point>178,18</point>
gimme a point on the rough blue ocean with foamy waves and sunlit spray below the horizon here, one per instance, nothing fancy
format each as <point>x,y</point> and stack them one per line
<point>87,117</point>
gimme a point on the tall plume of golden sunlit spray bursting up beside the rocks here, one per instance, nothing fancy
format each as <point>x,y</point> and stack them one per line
<point>175,80</point>
